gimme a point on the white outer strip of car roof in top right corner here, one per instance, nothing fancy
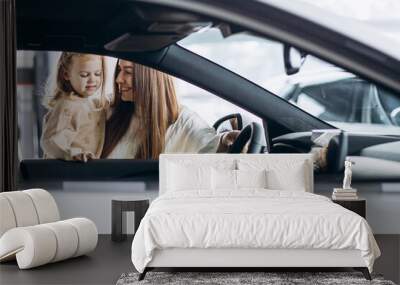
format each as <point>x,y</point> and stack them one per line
<point>357,30</point>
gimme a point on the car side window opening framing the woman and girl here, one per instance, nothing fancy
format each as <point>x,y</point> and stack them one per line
<point>74,106</point>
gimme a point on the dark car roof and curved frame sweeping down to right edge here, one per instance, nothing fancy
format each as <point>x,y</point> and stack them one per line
<point>144,30</point>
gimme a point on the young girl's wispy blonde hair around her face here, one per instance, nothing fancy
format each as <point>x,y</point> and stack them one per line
<point>60,86</point>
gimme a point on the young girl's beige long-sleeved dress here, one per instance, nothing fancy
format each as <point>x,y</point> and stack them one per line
<point>75,125</point>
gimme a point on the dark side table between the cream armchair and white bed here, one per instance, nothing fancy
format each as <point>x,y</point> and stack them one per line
<point>118,206</point>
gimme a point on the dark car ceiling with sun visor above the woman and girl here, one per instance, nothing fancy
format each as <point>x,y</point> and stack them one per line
<point>117,25</point>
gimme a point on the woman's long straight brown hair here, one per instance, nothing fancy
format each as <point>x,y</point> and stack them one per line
<point>156,107</point>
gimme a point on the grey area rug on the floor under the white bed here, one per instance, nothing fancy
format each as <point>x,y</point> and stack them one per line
<point>228,278</point>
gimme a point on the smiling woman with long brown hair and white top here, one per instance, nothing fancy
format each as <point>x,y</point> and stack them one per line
<point>147,120</point>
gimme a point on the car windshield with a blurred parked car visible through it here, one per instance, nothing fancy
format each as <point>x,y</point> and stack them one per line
<point>325,91</point>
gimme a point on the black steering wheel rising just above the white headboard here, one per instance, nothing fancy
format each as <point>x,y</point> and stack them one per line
<point>251,134</point>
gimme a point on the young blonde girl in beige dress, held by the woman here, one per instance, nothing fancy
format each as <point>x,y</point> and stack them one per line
<point>74,126</point>
